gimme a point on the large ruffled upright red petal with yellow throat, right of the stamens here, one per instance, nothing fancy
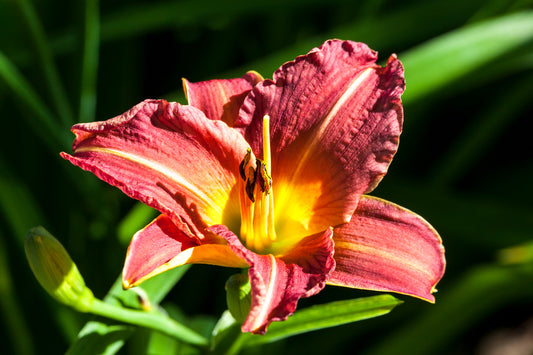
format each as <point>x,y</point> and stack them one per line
<point>335,121</point>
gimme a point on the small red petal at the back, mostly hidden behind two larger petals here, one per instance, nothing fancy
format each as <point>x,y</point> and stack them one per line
<point>221,99</point>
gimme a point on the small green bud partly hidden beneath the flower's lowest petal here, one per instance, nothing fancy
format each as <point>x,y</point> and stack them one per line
<point>238,296</point>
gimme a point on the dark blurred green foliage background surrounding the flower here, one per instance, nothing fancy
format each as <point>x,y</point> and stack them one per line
<point>465,161</point>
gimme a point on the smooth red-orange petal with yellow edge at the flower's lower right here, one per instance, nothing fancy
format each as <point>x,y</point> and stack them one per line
<point>388,248</point>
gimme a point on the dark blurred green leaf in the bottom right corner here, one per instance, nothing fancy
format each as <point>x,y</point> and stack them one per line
<point>479,292</point>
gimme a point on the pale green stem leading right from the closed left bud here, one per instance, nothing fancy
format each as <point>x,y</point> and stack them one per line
<point>151,320</point>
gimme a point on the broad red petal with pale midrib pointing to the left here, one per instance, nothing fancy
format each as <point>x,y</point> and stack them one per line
<point>170,157</point>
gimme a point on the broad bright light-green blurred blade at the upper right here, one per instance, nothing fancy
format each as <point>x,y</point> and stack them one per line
<point>449,57</point>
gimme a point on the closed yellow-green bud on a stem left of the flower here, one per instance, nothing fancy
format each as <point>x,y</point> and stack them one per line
<point>55,270</point>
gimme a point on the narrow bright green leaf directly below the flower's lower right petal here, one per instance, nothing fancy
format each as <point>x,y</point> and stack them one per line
<point>325,316</point>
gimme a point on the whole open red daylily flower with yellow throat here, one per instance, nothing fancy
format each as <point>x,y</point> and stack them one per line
<point>272,175</point>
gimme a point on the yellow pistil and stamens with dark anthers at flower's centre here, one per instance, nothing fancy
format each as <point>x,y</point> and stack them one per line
<point>257,198</point>
